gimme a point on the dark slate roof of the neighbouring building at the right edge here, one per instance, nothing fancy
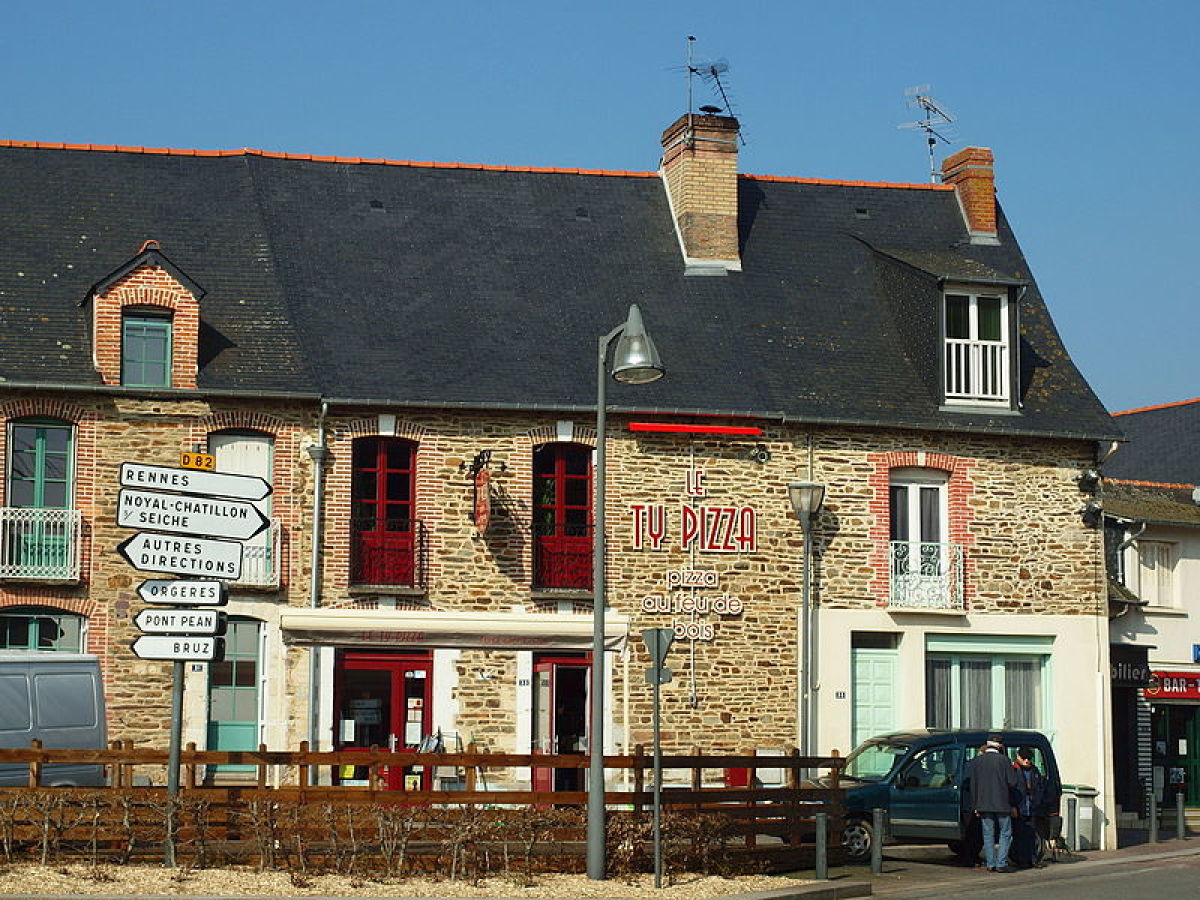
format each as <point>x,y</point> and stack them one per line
<point>1165,445</point>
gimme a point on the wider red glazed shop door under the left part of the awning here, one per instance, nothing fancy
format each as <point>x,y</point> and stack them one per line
<point>385,700</point>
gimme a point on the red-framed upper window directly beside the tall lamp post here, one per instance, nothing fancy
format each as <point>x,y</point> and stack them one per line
<point>562,517</point>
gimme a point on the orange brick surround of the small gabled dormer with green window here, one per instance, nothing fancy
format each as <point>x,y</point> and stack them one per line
<point>149,281</point>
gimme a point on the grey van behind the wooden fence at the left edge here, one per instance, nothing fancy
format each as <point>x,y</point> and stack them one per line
<point>57,699</point>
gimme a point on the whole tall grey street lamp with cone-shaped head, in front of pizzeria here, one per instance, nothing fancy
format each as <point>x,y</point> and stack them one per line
<point>634,362</point>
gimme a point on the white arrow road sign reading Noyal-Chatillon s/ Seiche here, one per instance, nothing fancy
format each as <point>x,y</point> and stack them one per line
<point>179,514</point>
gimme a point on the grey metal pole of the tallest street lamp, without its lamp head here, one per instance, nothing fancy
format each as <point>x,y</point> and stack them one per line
<point>596,764</point>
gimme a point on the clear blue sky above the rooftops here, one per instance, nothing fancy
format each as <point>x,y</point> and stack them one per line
<point>1090,106</point>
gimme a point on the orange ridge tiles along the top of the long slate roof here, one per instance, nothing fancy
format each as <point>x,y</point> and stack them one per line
<point>415,164</point>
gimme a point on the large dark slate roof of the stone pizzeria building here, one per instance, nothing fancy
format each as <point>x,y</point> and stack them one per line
<point>475,286</point>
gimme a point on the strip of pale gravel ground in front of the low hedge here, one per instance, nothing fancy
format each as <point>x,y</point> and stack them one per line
<point>141,881</point>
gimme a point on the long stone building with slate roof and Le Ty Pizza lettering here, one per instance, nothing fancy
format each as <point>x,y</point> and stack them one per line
<point>406,352</point>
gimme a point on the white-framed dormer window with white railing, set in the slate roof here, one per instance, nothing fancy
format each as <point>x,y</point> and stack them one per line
<point>977,347</point>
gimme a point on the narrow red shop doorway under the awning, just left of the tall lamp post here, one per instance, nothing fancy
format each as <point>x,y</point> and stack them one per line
<point>561,692</point>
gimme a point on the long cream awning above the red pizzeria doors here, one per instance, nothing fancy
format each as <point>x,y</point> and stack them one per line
<point>473,631</point>
